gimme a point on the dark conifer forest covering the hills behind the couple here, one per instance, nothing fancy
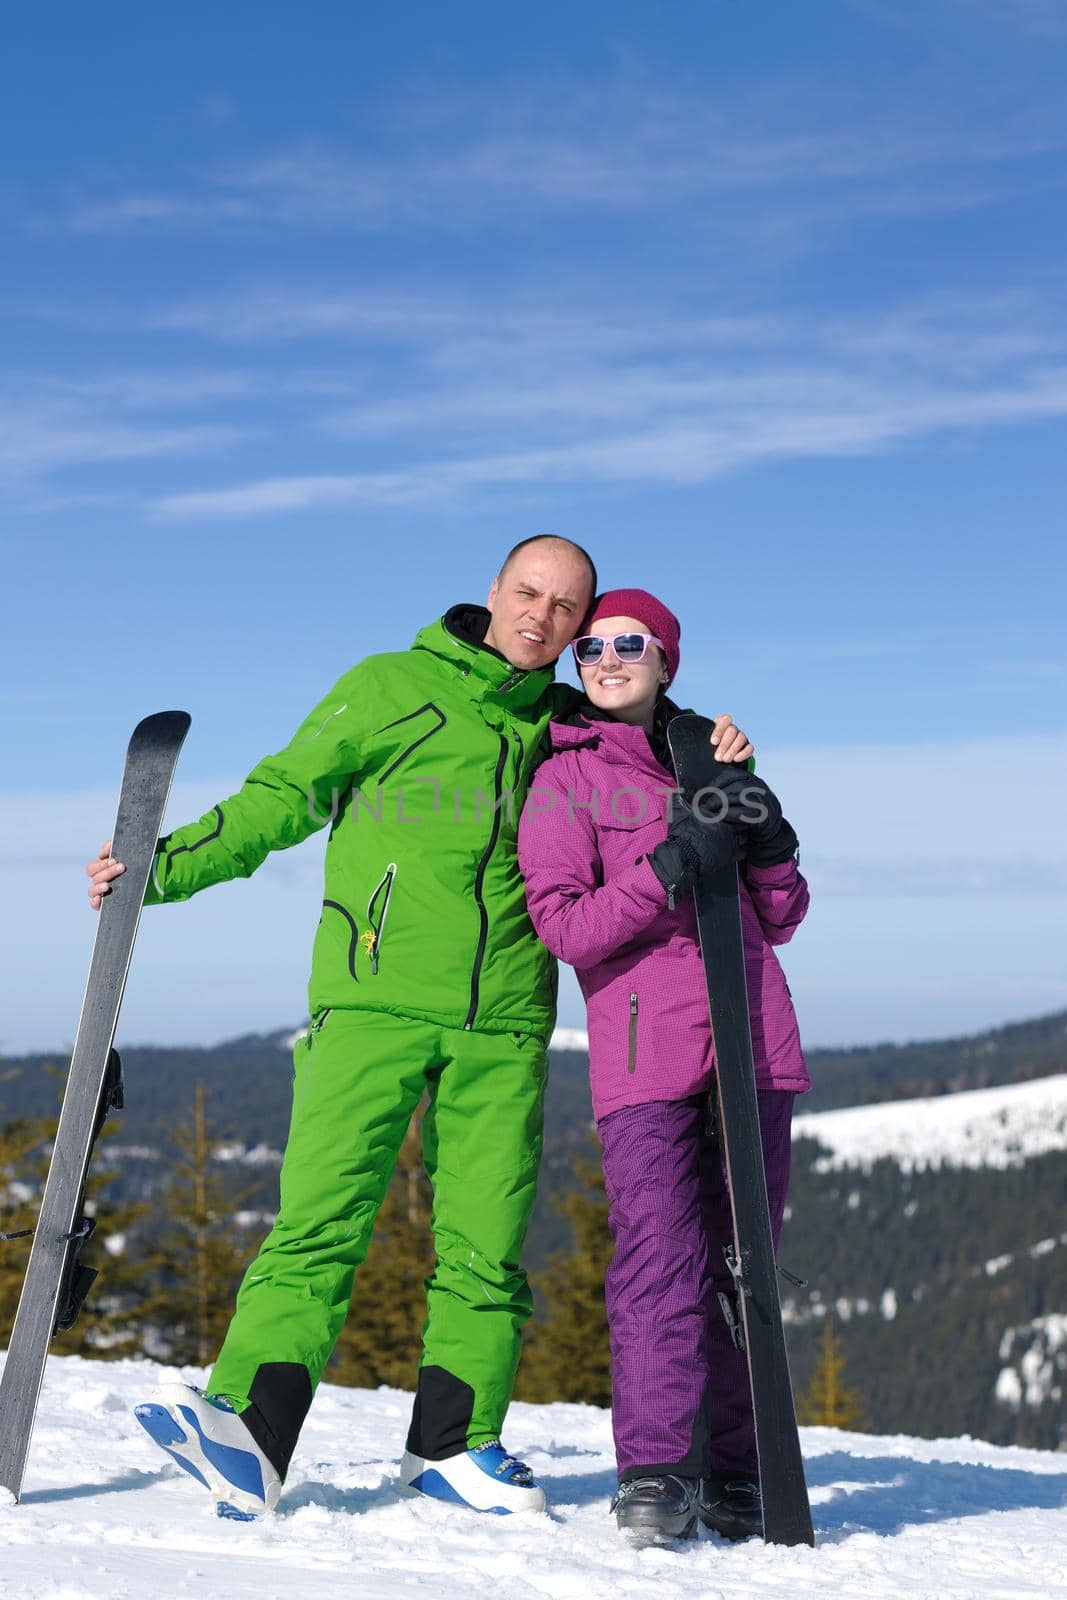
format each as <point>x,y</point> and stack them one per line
<point>901,1327</point>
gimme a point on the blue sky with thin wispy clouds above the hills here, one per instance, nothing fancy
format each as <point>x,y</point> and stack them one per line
<point>306,322</point>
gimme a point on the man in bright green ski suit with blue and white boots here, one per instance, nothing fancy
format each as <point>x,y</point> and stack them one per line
<point>426,978</point>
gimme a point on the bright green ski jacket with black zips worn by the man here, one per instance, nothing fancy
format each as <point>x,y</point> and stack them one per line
<point>418,762</point>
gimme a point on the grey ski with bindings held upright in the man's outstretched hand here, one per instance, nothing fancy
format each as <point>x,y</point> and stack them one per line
<point>57,1279</point>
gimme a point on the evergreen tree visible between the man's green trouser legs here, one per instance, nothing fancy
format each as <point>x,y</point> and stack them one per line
<point>383,1335</point>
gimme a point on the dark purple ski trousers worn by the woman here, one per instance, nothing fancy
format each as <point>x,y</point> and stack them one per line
<point>681,1396</point>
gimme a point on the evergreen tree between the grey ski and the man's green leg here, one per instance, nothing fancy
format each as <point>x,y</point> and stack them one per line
<point>201,1252</point>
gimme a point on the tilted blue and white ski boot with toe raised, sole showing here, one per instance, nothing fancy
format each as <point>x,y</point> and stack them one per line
<point>206,1436</point>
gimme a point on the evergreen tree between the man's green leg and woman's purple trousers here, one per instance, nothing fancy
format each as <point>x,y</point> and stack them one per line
<point>567,1354</point>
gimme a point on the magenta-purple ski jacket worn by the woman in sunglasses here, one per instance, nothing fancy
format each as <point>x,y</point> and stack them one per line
<point>596,809</point>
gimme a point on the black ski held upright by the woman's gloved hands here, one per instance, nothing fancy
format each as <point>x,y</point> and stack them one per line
<point>759,1314</point>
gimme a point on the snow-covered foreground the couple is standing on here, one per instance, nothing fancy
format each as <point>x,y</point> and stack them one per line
<point>105,1514</point>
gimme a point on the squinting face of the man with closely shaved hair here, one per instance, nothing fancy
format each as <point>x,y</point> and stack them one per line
<point>538,604</point>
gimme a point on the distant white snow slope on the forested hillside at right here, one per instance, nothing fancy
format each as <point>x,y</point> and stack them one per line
<point>1001,1127</point>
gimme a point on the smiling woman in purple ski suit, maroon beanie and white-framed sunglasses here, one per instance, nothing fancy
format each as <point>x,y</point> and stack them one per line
<point>609,865</point>
